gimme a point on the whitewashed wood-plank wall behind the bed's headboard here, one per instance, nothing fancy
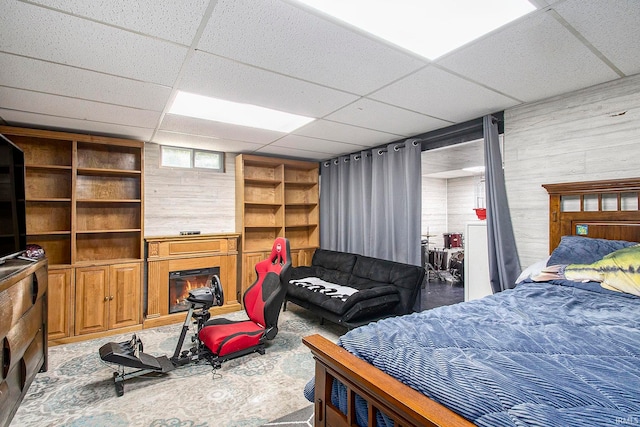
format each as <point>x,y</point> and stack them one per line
<point>589,134</point>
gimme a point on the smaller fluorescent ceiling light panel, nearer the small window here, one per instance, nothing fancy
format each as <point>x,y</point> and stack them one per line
<point>220,110</point>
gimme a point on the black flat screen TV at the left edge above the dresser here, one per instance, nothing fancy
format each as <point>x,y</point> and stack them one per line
<point>13,222</point>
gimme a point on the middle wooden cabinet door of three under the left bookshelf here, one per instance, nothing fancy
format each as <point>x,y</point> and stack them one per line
<point>92,299</point>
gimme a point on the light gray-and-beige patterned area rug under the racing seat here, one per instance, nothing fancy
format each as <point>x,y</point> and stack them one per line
<point>78,389</point>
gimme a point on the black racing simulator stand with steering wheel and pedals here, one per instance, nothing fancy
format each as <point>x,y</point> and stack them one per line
<point>130,354</point>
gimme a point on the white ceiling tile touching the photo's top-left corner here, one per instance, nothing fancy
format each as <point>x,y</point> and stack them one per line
<point>53,36</point>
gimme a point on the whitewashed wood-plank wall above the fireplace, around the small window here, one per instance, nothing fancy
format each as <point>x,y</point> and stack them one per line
<point>187,199</point>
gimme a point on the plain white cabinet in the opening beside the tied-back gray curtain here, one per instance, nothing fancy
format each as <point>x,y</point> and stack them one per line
<point>476,261</point>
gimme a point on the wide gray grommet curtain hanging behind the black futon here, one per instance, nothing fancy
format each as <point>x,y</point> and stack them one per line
<point>370,203</point>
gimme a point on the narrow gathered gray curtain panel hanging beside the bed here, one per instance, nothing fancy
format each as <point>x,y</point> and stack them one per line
<point>504,264</point>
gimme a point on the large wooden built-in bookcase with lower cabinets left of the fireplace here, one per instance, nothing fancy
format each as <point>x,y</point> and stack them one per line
<point>84,207</point>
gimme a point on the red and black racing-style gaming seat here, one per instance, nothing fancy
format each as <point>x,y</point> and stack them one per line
<point>263,300</point>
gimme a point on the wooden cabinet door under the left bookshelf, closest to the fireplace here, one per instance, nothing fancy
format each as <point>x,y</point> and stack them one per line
<point>124,295</point>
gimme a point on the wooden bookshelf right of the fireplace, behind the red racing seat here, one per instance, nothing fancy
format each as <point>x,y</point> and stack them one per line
<point>275,198</point>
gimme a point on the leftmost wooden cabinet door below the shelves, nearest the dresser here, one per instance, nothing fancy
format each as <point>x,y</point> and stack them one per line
<point>59,307</point>
